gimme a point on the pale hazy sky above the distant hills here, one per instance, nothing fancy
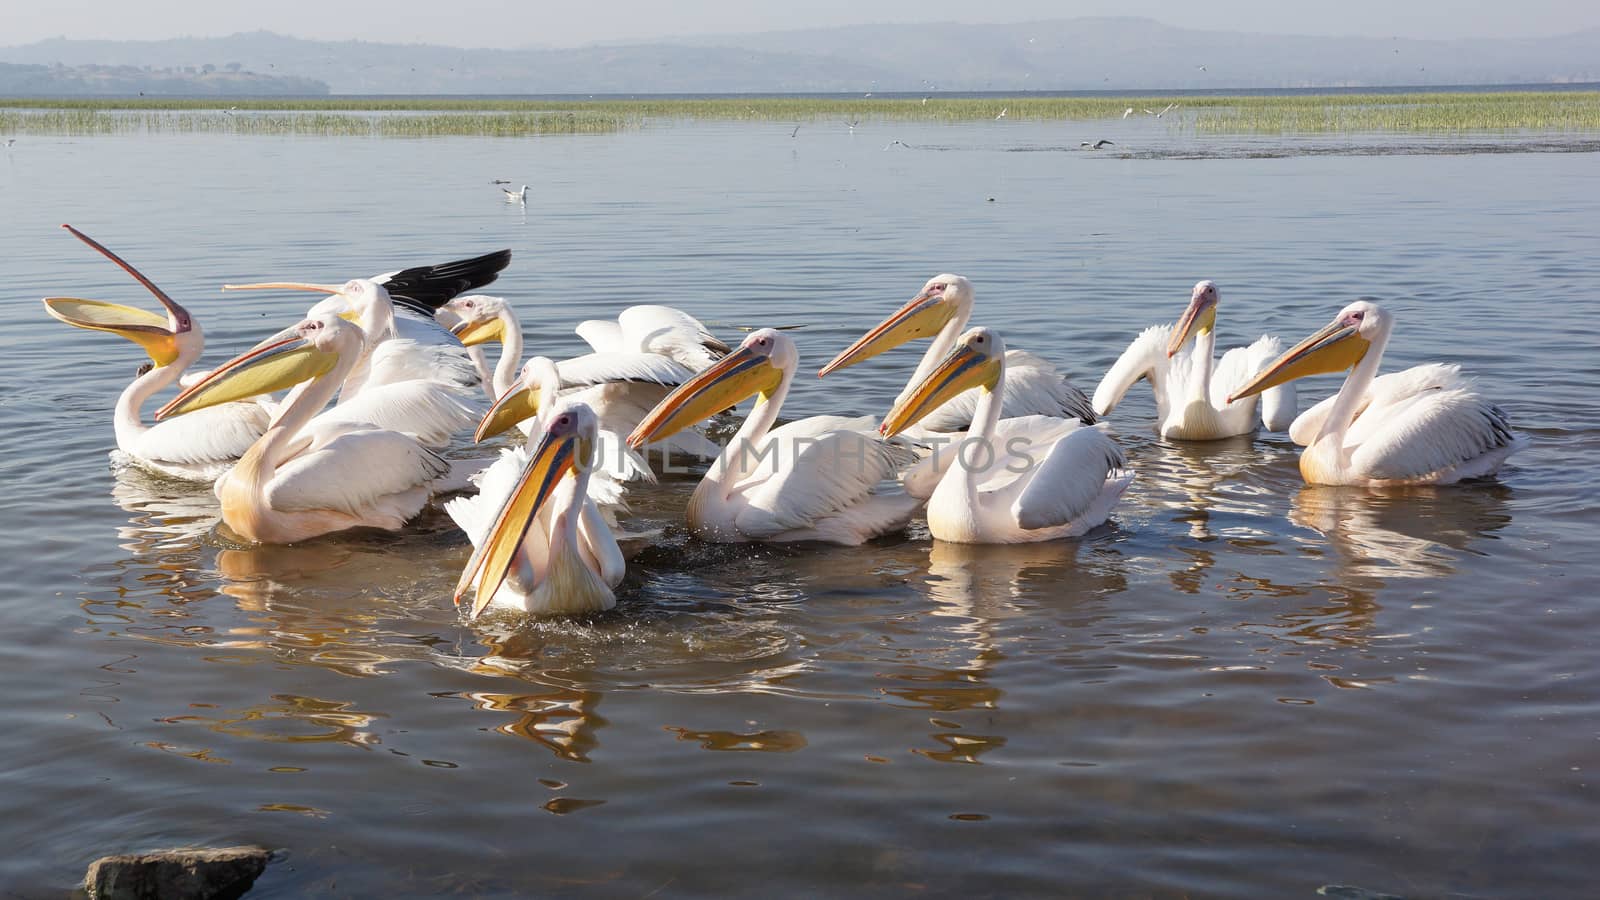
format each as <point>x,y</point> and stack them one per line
<point>527,23</point>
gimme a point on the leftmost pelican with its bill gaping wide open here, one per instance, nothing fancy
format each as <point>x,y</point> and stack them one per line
<point>201,448</point>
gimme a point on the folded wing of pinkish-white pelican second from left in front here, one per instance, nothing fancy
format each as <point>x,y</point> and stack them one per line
<point>358,472</point>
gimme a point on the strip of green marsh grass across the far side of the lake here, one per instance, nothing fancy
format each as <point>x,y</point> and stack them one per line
<point>423,118</point>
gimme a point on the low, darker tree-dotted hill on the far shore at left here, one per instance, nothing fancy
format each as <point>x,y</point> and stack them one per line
<point>206,81</point>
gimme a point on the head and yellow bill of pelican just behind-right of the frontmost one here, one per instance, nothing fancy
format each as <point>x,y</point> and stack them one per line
<point>759,366</point>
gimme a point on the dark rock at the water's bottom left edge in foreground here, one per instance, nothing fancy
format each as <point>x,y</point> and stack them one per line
<point>199,874</point>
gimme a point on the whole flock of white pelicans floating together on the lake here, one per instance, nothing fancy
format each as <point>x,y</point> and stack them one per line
<point>991,444</point>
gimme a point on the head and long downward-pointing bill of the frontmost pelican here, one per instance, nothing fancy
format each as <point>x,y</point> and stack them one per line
<point>567,444</point>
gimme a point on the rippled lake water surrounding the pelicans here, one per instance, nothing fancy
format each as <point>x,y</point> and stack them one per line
<point>1241,688</point>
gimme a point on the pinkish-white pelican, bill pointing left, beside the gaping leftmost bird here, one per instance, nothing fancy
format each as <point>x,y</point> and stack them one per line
<point>310,475</point>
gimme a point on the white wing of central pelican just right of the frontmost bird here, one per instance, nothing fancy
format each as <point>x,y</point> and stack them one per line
<point>825,465</point>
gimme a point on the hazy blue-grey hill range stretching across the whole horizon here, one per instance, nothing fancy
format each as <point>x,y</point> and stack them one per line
<point>1103,54</point>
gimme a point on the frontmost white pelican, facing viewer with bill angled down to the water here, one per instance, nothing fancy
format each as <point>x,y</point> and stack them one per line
<point>542,547</point>
